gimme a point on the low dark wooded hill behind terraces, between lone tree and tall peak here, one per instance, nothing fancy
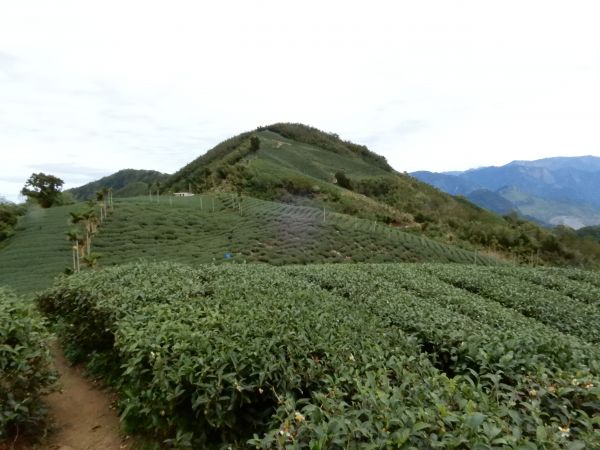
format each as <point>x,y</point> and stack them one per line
<point>124,183</point>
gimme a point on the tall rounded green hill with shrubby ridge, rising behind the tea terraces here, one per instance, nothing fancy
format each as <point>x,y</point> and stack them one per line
<point>301,165</point>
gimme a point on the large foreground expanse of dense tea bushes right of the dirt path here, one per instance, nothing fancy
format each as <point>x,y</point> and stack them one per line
<point>341,356</point>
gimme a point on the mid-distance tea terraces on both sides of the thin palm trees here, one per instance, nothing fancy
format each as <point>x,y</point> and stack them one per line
<point>204,229</point>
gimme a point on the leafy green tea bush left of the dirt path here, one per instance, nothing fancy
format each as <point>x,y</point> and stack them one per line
<point>25,374</point>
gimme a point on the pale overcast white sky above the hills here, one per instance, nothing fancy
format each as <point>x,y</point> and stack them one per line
<point>91,87</point>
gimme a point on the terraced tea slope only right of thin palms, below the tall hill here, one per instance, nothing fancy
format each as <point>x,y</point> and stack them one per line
<point>217,228</point>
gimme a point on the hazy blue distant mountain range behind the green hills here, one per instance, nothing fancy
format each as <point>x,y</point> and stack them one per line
<point>553,191</point>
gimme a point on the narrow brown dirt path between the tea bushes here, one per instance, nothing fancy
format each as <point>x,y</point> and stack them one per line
<point>81,413</point>
